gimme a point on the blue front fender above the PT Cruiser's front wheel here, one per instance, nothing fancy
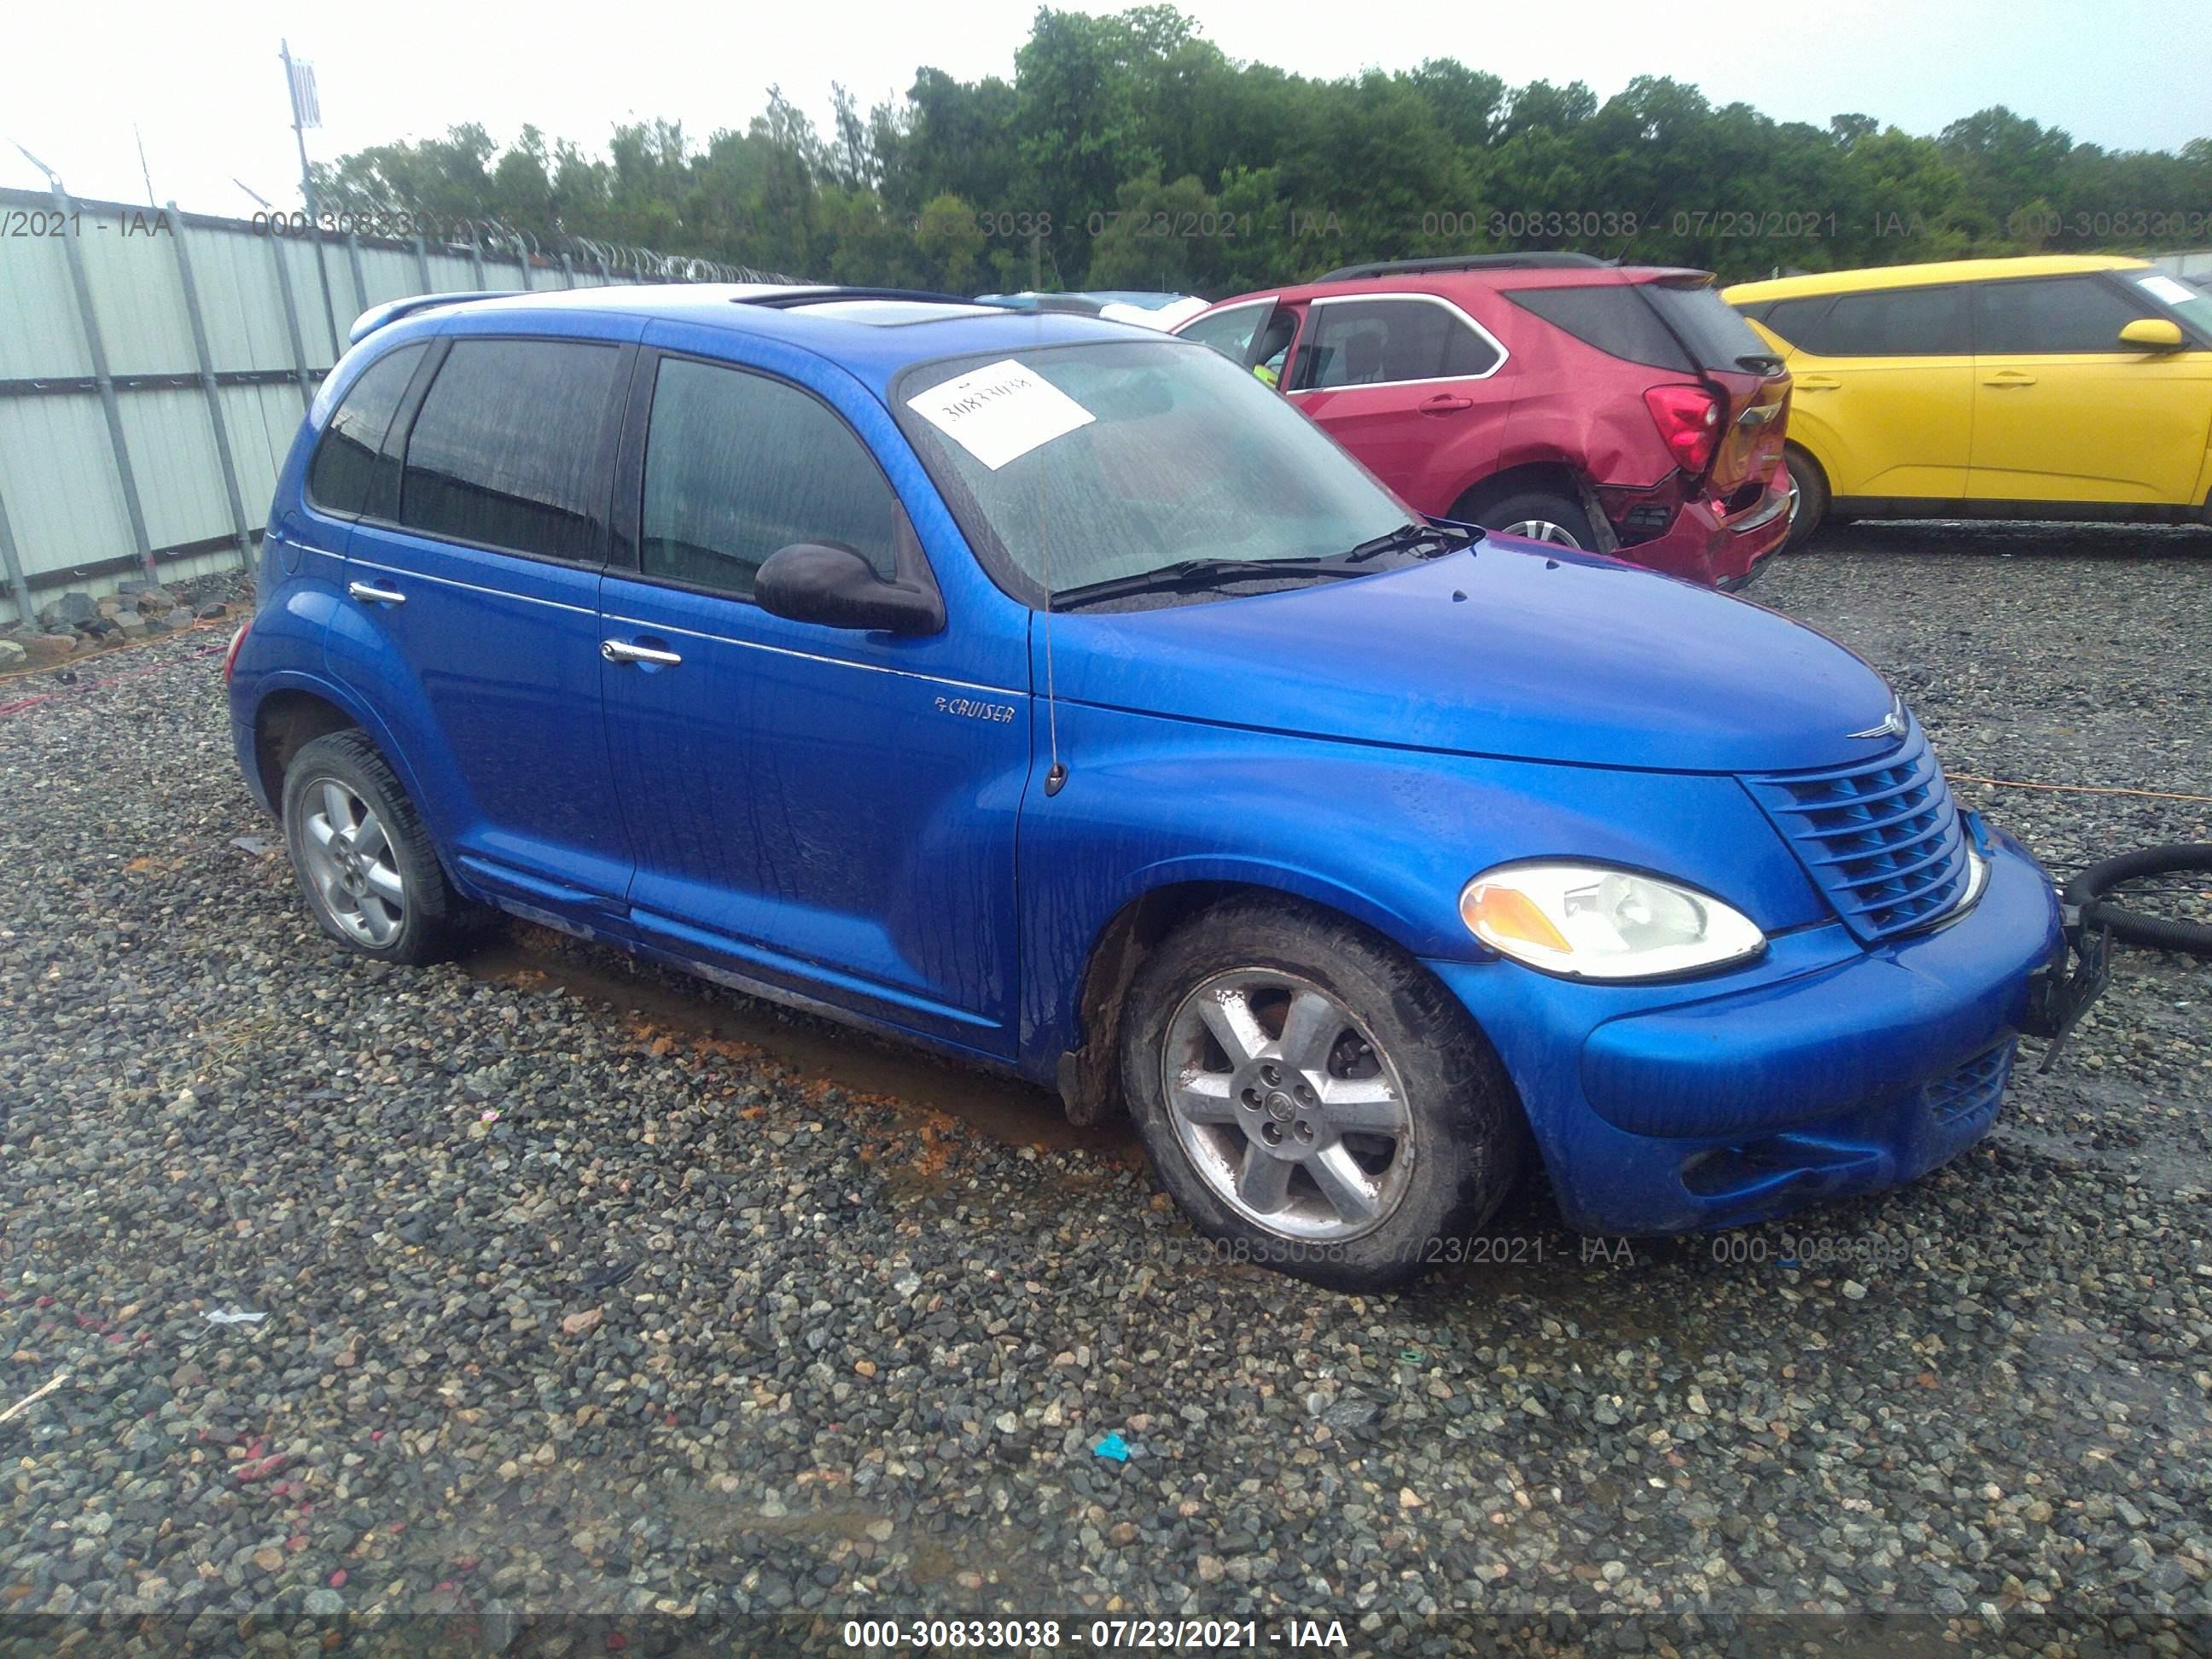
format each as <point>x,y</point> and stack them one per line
<point>1386,837</point>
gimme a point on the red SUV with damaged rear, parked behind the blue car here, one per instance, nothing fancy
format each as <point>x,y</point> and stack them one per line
<point>1614,408</point>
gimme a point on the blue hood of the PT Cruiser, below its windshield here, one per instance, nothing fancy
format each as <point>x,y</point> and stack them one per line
<point>1503,649</point>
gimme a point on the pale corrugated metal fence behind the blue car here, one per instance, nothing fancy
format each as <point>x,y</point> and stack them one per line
<point>94,501</point>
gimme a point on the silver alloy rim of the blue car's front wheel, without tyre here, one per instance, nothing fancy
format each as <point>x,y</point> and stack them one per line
<point>1286,1107</point>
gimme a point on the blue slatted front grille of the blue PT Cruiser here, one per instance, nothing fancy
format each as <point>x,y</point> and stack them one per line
<point>1881,839</point>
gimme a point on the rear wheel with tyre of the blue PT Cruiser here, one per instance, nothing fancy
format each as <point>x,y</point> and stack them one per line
<point>362,853</point>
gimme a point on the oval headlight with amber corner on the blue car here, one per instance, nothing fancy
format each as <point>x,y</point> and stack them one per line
<point>1598,924</point>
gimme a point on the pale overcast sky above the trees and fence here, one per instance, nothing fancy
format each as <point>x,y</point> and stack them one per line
<point>205,90</point>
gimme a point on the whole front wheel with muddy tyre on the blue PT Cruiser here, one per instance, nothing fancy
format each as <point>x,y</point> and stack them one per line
<point>1313,1098</point>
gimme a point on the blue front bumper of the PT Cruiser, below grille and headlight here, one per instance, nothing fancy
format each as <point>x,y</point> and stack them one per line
<point>1822,1072</point>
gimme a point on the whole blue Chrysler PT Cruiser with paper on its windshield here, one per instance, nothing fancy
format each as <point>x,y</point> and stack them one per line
<point>1050,693</point>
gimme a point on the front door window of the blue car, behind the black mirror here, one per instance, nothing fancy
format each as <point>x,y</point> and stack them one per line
<point>740,466</point>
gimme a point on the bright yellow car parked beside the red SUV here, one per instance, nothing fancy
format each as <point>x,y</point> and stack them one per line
<point>1994,388</point>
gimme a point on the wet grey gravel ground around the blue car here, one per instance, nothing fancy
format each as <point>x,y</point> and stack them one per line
<point>574,1304</point>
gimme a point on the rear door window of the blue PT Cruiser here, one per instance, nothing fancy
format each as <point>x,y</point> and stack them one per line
<point>508,448</point>
